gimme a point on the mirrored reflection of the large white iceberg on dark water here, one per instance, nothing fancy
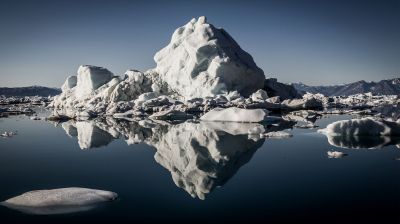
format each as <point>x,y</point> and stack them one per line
<point>199,155</point>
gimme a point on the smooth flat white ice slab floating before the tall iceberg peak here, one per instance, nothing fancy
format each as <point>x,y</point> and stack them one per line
<point>236,115</point>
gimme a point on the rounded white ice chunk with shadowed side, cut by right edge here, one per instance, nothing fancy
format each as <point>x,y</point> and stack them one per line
<point>362,127</point>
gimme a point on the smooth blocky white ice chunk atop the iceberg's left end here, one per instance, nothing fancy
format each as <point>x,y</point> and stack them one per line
<point>90,78</point>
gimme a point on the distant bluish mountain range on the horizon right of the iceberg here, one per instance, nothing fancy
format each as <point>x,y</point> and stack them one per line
<point>384,87</point>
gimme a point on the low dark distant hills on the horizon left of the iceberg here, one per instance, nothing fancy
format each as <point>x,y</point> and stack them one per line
<point>29,91</point>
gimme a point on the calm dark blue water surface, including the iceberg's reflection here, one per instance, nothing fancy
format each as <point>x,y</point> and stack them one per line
<point>273,180</point>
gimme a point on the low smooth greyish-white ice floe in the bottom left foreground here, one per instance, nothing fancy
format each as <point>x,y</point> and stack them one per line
<point>59,201</point>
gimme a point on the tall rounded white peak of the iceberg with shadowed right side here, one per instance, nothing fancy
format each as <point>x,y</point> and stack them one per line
<point>202,60</point>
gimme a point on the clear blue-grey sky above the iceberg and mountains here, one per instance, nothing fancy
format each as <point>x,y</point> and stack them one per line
<point>315,42</point>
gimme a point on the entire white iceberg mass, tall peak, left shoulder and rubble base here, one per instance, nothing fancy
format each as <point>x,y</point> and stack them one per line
<point>202,68</point>
